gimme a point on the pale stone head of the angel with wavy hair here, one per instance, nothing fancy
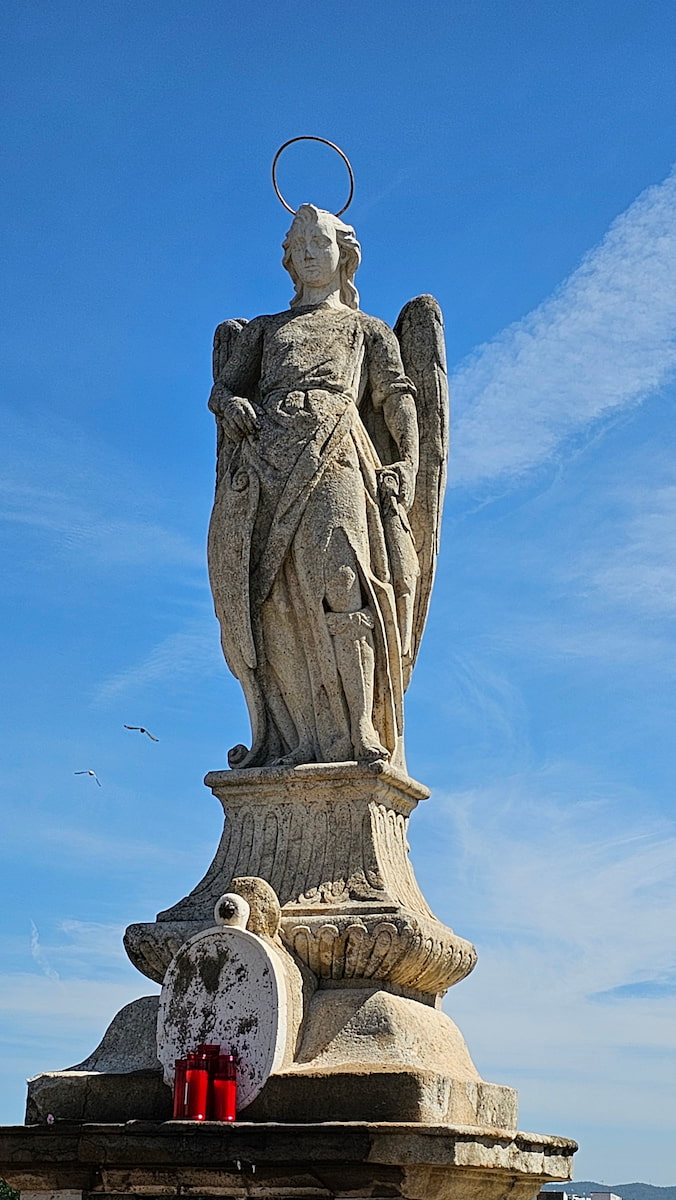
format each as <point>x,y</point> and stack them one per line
<point>321,243</point>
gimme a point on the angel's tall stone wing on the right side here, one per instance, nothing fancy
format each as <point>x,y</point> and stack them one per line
<point>420,329</point>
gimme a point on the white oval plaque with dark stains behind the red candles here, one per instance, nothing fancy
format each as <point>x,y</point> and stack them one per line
<point>225,987</point>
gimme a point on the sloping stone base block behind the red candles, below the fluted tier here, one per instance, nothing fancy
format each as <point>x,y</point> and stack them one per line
<point>363,1054</point>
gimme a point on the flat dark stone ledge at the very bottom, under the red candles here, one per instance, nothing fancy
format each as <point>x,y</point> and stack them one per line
<point>315,1162</point>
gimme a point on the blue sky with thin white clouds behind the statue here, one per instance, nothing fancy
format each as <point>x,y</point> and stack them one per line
<point>516,160</point>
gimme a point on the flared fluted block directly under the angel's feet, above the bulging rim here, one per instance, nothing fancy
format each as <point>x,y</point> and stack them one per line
<point>319,835</point>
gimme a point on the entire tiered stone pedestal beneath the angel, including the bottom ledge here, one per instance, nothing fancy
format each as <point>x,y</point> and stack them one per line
<point>321,856</point>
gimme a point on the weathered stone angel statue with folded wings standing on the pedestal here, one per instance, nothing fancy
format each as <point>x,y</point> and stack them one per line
<point>333,442</point>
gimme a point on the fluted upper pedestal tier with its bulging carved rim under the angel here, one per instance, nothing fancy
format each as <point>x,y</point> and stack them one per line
<point>332,841</point>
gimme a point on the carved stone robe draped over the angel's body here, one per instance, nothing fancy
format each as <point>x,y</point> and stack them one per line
<point>315,376</point>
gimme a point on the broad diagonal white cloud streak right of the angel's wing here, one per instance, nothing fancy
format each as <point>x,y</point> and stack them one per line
<point>605,341</point>
